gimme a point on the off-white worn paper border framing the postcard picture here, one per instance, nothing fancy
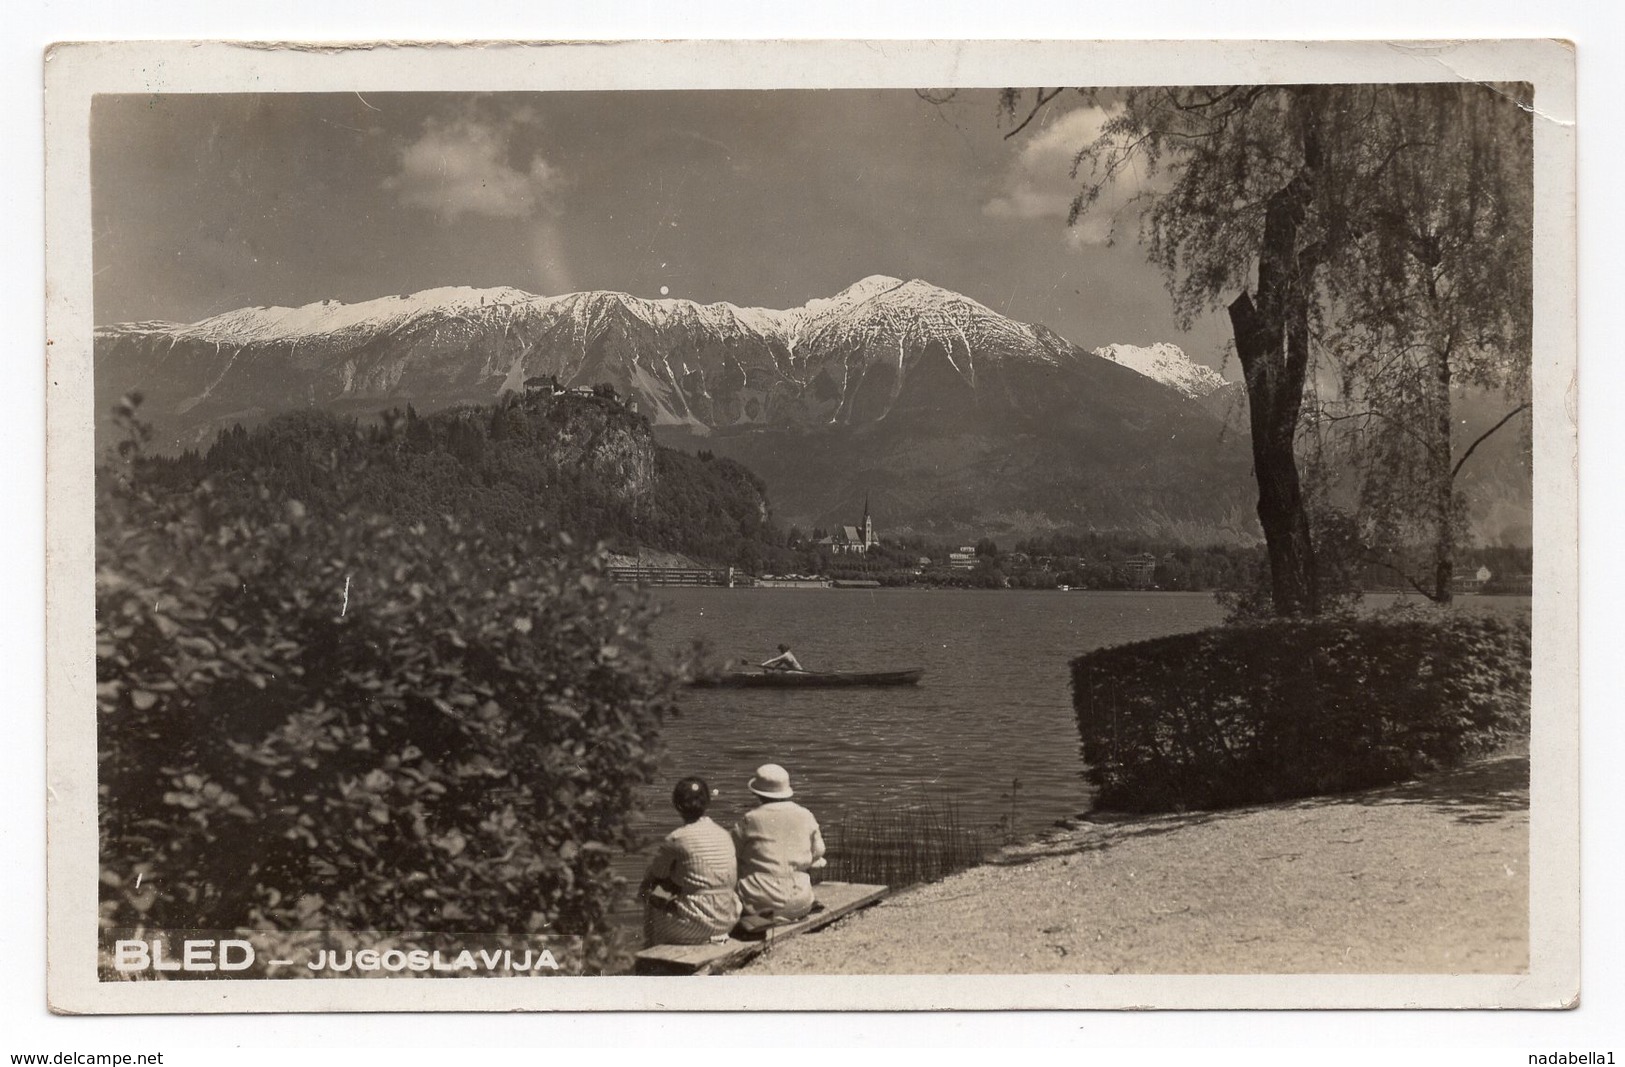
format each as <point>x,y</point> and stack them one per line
<point>77,72</point>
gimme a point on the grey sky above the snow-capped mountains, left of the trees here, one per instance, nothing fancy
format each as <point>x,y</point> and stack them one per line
<point>207,204</point>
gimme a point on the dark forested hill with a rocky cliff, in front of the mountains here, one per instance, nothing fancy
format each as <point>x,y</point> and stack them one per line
<point>581,464</point>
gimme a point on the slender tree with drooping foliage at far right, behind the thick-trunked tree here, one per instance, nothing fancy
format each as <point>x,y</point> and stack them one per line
<point>1442,300</point>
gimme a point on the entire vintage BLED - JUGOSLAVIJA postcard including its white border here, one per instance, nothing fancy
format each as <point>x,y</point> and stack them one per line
<point>1010,530</point>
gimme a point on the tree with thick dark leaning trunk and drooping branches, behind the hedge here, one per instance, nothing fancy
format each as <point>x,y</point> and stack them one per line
<point>1265,201</point>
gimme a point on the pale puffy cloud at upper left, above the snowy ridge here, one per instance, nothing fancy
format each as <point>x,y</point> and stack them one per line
<point>462,166</point>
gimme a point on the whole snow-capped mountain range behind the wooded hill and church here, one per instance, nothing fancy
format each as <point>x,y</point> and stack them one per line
<point>951,415</point>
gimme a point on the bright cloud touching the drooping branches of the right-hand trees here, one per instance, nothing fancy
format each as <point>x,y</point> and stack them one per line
<point>1039,183</point>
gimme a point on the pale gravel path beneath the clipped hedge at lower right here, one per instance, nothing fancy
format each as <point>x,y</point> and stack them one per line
<point>1424,878</point>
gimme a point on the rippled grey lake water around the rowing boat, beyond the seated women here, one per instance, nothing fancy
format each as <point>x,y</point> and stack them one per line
<point>994,707</point>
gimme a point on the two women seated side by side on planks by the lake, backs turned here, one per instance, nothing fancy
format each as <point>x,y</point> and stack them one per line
<point>704,881</point>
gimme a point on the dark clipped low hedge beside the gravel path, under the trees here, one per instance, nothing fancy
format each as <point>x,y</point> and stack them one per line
<point>1275,711</point>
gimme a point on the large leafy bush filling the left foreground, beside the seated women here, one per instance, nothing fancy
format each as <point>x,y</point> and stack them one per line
<point>334,722</point>
